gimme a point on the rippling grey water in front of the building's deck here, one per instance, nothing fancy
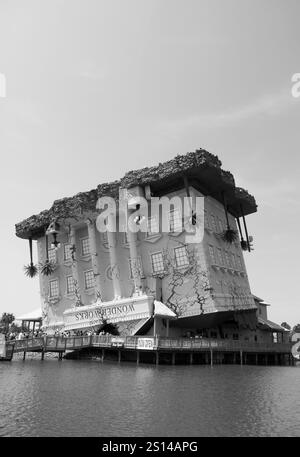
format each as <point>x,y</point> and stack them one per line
<point>87,398</point>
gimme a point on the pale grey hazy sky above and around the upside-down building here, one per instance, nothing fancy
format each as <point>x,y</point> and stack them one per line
<point>95,88</point>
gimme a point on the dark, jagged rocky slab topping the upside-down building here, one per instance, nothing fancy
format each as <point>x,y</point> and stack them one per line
<point>202,169</point>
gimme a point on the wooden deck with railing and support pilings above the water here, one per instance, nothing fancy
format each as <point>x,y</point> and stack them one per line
<point>158,346</point>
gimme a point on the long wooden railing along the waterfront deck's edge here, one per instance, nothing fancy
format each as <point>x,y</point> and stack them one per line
<point>61,344</point>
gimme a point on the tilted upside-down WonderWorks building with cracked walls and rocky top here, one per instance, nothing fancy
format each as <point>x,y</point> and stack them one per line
<point>152,281</point>
